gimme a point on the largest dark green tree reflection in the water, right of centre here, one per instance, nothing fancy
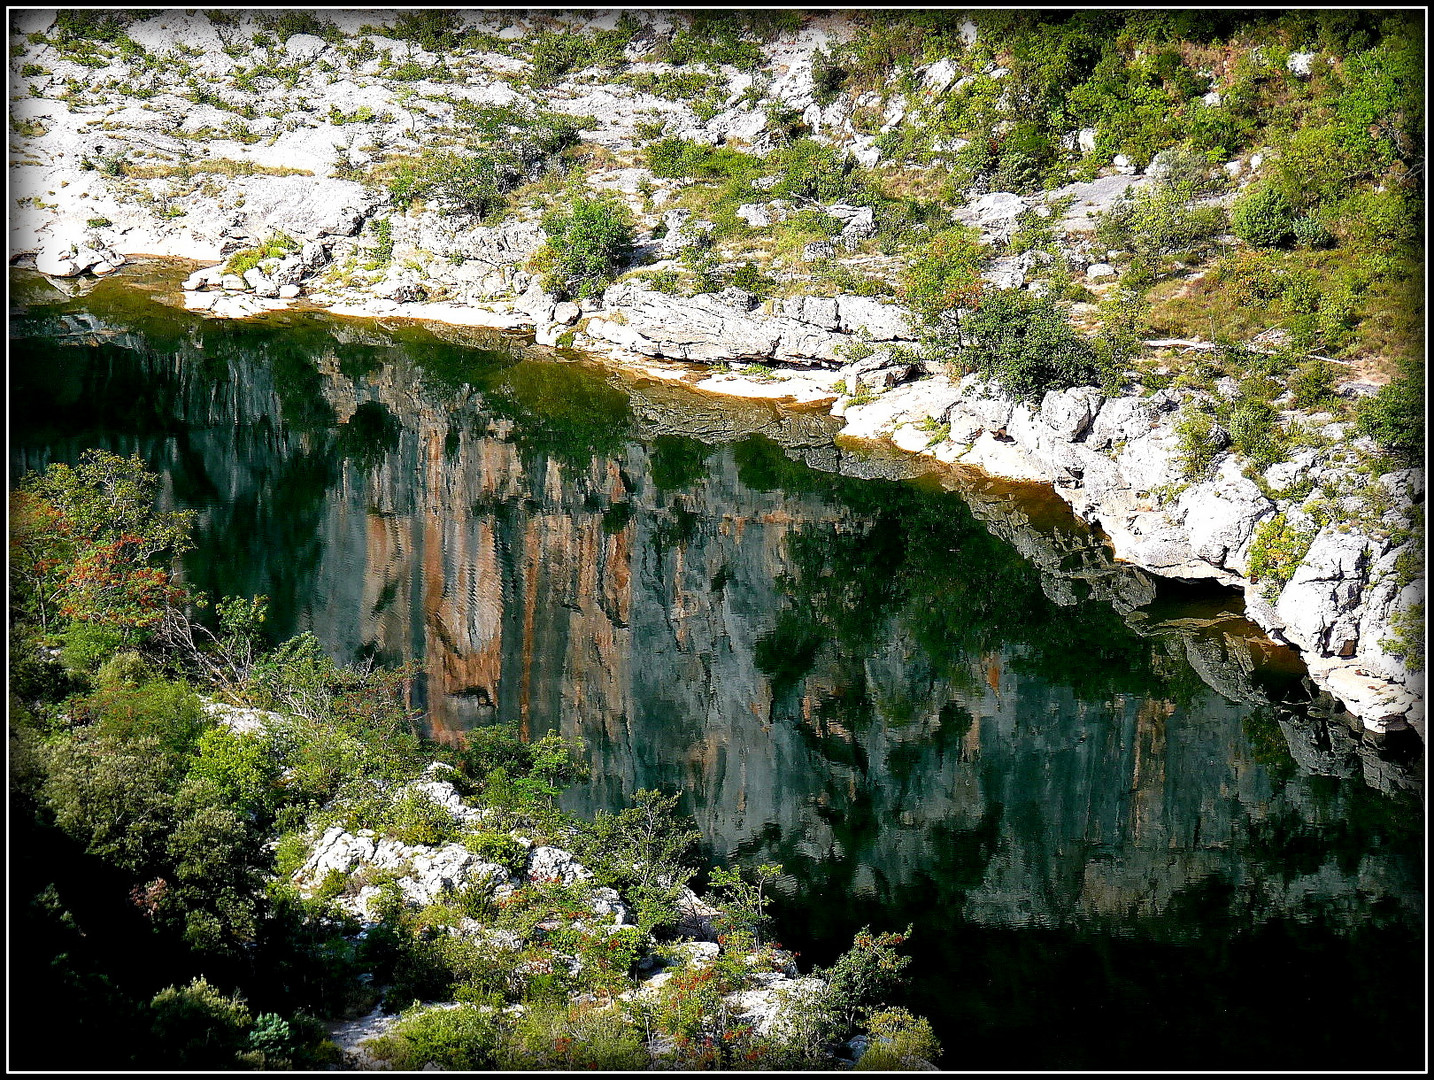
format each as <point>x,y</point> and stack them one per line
<point>917,559</point>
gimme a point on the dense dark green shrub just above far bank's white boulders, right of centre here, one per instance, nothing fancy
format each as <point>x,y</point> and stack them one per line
<point>1026,344</point>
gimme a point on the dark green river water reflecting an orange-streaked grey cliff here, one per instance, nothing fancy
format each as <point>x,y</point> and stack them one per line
<point>1124,831</point>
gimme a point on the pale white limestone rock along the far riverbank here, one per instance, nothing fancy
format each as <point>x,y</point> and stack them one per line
<point>103,179</point>
